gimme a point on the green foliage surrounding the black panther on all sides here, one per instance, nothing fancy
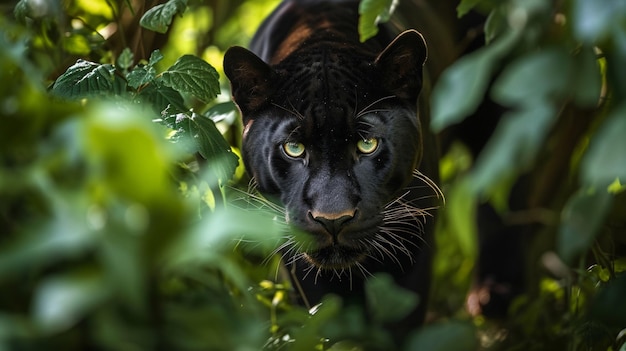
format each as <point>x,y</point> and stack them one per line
<point>123,226</point>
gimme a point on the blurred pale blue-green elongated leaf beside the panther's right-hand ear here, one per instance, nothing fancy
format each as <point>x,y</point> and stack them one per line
<point>462,86</point>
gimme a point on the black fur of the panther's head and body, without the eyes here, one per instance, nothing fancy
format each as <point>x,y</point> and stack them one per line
<point>311,82</point>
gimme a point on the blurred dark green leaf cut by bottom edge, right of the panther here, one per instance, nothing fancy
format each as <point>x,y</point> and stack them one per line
<point>449,336</point>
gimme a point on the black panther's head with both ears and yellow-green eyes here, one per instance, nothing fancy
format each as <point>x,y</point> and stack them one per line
<point>332,134</point>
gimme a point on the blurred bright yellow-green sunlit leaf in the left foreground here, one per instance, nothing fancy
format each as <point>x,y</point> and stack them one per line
<point>132,159</point>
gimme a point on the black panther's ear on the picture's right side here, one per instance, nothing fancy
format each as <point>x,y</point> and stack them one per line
<point>401,63</point>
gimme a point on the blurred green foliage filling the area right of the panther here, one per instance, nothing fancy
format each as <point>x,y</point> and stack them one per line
<point>555,68</point>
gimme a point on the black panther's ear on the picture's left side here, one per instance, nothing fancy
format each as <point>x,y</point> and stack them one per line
<point>249,78</point>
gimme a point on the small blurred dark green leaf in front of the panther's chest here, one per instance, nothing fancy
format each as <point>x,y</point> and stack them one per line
<point>387,301</point>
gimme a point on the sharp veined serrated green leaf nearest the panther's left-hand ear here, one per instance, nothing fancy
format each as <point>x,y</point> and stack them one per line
<point>192,75</point>
